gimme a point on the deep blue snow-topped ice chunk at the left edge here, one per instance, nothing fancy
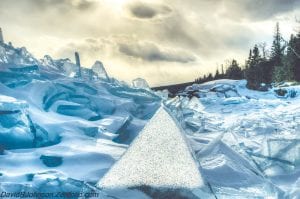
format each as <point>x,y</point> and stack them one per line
<point>16,127</point>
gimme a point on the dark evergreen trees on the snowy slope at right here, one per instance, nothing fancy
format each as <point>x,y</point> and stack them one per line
<point>262,68</point>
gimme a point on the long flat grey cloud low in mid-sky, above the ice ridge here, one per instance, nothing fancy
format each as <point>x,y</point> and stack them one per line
<point>151,52</point>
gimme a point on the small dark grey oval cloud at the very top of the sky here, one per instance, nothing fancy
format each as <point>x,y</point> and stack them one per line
<point>146,10</point>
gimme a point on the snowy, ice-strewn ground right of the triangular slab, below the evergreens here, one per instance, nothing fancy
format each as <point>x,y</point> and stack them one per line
<point>247,142</point>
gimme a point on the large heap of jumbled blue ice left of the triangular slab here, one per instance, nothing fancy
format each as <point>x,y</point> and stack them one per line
<point>50,116</point>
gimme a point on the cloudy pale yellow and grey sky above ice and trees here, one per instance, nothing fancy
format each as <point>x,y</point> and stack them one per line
<point>162,41</point>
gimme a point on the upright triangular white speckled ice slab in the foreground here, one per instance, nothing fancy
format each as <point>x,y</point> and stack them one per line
<point>159,157</point>
